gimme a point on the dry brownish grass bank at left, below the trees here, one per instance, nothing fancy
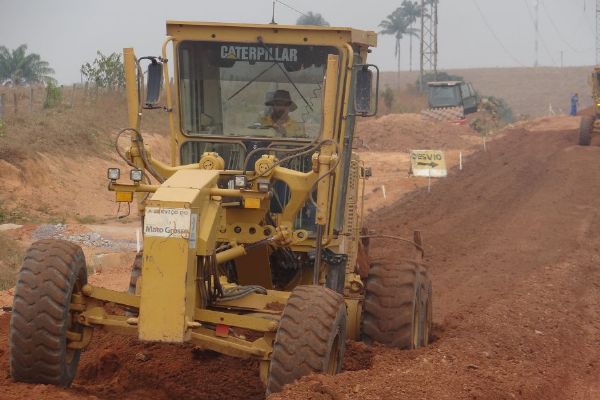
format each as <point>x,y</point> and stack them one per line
<point>87,127</point>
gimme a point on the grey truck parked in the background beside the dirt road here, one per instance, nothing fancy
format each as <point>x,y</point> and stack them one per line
<point>450,101</point>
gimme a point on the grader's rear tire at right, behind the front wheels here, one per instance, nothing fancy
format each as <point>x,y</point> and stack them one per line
<point>397,310</point>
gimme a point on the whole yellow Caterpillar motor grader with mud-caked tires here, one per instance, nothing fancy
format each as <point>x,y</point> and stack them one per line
<point>254,245</point>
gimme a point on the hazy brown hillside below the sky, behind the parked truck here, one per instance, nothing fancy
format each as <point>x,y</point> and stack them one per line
<point>529,91</point>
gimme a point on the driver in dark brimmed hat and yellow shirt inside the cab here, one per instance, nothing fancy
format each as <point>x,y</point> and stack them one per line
<point>278,118</point>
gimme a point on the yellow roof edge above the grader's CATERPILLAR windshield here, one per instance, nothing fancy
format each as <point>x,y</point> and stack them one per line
<point>300,34</point>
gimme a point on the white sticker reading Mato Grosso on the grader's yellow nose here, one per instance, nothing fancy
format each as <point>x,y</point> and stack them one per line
<point>168,222</point>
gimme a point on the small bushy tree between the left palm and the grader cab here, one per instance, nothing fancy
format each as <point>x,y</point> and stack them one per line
<point>105,71</point>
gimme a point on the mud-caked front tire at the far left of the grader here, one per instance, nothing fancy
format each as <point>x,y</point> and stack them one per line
<point>51,272</point>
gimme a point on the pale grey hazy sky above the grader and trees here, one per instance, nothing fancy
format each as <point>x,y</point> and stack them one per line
<point>472,33</point>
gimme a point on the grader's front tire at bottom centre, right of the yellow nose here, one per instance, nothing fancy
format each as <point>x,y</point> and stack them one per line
<point>311,337</point>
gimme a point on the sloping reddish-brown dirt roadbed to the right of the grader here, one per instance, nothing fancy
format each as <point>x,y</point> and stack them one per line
<point>514,246</point>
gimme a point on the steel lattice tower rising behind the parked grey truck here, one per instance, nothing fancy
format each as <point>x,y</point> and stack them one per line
<point>429,41</point>
